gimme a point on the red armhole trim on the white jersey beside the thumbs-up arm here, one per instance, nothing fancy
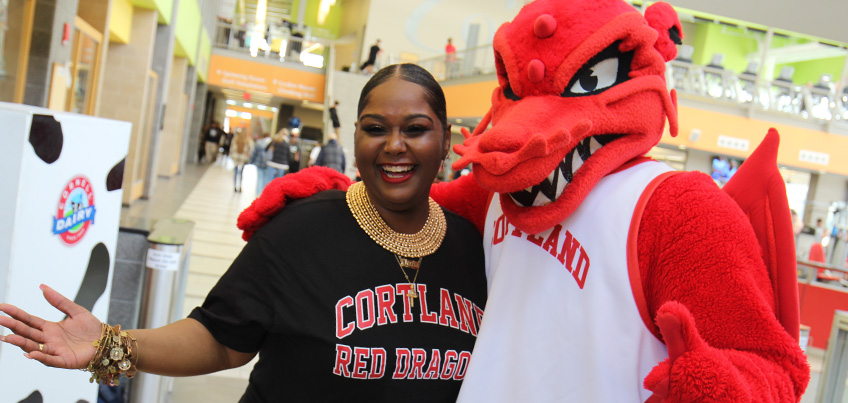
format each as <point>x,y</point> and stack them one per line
<point>633,253</point>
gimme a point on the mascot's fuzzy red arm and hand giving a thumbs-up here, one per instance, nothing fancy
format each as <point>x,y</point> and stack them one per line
<point>708,290</point>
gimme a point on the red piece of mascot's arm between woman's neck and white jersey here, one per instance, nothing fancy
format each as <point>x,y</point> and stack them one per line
<point>463,196</point>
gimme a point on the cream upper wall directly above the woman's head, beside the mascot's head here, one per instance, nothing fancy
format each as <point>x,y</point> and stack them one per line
<point>423,26</point>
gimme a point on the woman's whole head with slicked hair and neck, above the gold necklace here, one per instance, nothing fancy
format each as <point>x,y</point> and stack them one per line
<point>400,143</point>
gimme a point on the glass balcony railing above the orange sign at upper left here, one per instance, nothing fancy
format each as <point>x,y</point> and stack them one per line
<point>281,45</point>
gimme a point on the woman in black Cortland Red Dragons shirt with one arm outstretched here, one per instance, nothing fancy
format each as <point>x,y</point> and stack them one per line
<point>389,312</point>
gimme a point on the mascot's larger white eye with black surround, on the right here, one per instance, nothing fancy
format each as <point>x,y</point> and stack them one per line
<point>605,70</point>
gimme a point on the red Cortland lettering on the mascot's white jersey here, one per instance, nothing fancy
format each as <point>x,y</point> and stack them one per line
<point>571,255</point>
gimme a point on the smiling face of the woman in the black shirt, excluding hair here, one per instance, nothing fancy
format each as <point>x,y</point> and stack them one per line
<point>399,145</point>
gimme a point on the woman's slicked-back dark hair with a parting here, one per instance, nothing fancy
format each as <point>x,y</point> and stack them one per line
<point>416,75</point>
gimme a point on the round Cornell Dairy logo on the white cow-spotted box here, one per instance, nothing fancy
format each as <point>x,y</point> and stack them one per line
<point>75,211</point>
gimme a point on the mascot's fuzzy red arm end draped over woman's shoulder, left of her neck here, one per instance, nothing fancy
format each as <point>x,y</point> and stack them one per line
<point>299,185</point>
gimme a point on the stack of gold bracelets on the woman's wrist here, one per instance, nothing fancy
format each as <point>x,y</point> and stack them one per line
<point>117,354</point>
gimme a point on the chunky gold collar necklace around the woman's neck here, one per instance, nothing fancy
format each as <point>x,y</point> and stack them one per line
<point>420,244</point>
